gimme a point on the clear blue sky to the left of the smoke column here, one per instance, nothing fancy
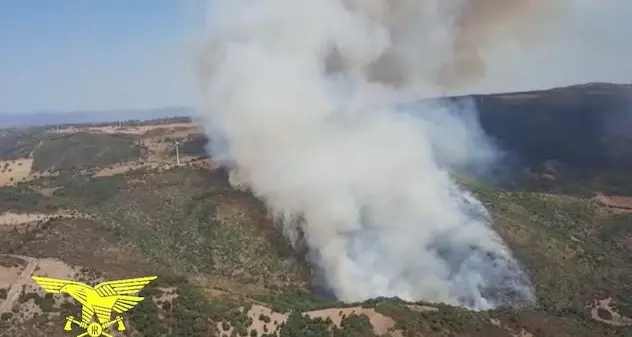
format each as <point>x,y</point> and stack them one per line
<point>95,54</point>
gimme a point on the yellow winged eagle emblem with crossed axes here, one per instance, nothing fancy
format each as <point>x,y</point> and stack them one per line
<point>118,296</point>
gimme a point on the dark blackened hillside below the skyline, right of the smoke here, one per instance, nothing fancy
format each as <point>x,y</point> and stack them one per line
<point>583,126</point>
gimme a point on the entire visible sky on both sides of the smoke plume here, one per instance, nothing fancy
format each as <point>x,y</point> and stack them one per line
<point>73,55</point>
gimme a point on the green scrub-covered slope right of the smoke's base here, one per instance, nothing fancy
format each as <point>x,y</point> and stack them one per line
<point>563,242</point>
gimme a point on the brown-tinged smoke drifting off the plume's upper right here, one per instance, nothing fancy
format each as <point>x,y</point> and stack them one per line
<point>444,42</point>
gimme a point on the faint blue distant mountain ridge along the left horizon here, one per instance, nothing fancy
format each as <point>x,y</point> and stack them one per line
<point>78,117</point>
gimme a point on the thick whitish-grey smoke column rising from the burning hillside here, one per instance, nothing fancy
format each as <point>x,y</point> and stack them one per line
<point>310,103</point>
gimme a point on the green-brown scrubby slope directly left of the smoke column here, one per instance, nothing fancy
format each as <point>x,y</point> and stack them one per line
<point>172,216</point>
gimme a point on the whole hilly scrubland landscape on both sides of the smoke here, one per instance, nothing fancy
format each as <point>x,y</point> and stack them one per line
<point>109,202</point>
